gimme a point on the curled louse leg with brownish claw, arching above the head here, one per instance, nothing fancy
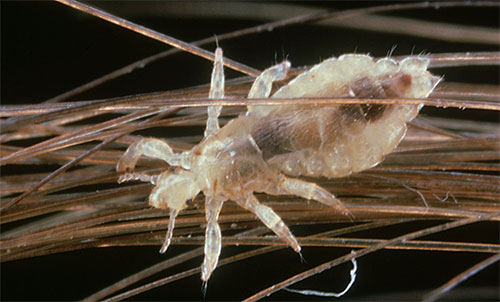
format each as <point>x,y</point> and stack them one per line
<point>154,148</point>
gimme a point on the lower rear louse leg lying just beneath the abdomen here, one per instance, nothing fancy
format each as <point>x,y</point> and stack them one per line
<point>309,190</point>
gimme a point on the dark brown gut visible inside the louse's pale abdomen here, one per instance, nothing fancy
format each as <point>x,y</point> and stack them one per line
<point>316,126</point>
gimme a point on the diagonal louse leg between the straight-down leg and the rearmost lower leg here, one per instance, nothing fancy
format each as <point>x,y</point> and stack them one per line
<point>270,219</point>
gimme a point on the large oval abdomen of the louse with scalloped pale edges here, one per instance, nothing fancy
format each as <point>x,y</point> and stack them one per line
<point>335,141</point>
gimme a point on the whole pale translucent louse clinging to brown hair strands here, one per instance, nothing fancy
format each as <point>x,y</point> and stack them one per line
<point>261,150</point>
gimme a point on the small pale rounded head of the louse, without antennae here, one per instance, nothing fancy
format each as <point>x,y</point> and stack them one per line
<point>173,190</point>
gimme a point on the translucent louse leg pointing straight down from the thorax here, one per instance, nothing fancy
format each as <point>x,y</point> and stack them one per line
<point>213,237</point>
